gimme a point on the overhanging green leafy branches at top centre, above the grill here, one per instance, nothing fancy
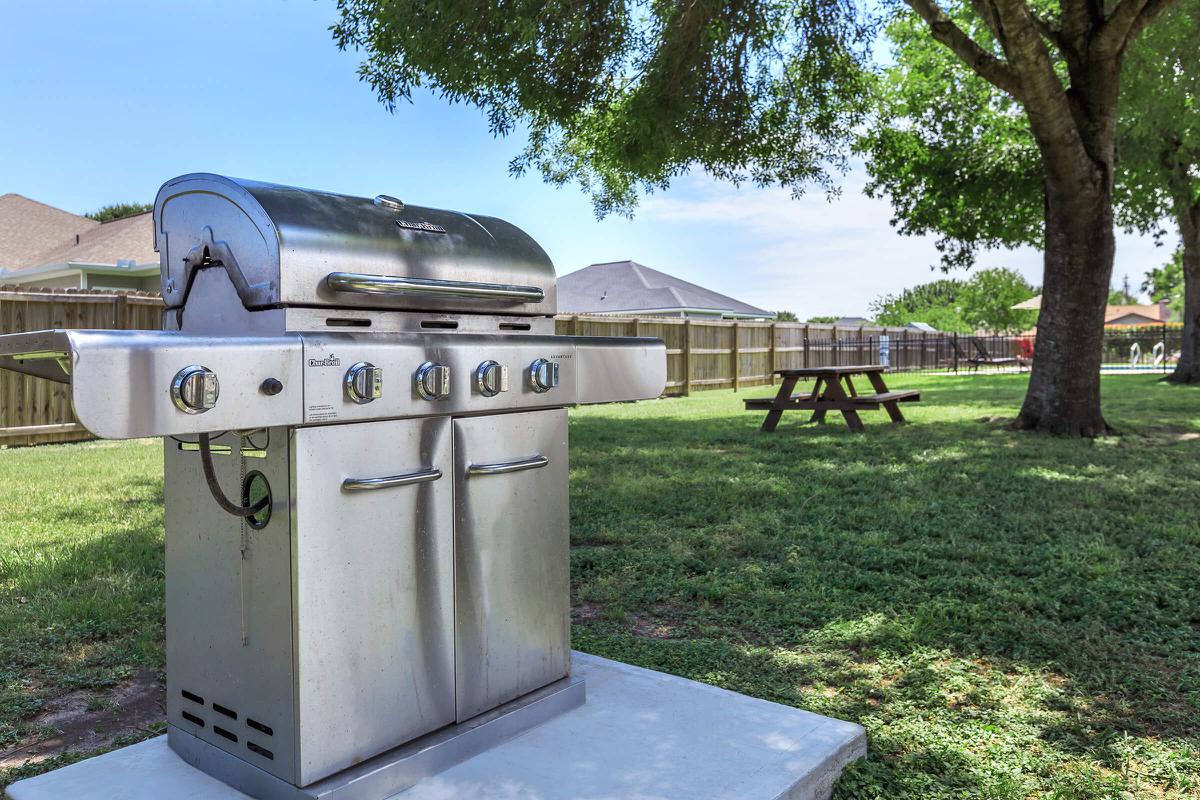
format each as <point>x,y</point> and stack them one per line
<point>622,98</point>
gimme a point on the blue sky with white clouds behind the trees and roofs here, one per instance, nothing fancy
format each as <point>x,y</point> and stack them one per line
<point>105,101</point>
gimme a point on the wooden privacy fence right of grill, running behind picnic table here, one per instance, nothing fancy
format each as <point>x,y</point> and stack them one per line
<point>734,354</point>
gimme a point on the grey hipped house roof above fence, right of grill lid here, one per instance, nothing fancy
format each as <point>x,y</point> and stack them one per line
<point>632,288</point>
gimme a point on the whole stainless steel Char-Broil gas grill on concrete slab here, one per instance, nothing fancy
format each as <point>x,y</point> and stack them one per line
<point>367,483</point>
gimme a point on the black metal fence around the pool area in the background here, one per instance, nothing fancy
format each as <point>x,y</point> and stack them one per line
<point>1148,350</point>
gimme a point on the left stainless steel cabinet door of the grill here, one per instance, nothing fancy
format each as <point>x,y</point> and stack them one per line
<point>374,590</point>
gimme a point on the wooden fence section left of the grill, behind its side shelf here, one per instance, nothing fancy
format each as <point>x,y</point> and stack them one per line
<point>35,411</point>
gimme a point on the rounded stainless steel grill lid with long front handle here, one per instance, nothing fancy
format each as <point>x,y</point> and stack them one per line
<point>286,246</point>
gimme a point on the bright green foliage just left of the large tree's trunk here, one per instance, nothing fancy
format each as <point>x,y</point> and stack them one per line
<point>952,153</point>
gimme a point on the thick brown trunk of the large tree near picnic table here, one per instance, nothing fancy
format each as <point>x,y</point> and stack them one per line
<point>1065,386</point>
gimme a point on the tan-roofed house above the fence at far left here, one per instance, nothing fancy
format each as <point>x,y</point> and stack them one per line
<point>50,249</point>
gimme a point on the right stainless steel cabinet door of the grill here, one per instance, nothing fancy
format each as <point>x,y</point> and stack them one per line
<point>512,560</point>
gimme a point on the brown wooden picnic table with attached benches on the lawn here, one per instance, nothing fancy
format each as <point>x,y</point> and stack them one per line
<point>833,392</point>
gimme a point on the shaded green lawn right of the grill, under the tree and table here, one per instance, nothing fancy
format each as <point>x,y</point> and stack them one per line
<point>953,570</point>
